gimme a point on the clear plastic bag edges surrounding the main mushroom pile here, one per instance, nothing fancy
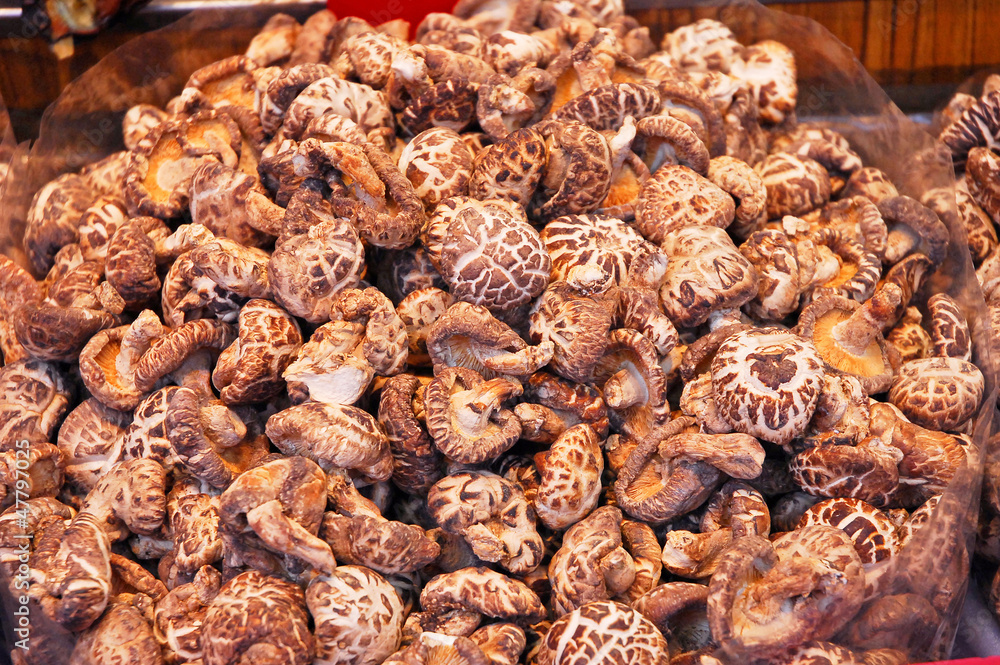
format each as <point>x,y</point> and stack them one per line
<point>84,125</point>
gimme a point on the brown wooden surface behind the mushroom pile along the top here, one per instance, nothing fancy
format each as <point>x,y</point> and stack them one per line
<point>920,50</point>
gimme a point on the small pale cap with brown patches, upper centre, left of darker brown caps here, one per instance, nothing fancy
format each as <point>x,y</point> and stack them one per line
<point>438,163</point>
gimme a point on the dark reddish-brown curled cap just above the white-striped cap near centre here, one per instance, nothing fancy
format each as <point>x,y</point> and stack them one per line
<point>578,170</point>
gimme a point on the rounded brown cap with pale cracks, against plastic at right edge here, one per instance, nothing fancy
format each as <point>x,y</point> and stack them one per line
<point>938,393</point>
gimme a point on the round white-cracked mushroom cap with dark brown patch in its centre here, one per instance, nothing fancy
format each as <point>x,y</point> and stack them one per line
<point>767,382</point>
